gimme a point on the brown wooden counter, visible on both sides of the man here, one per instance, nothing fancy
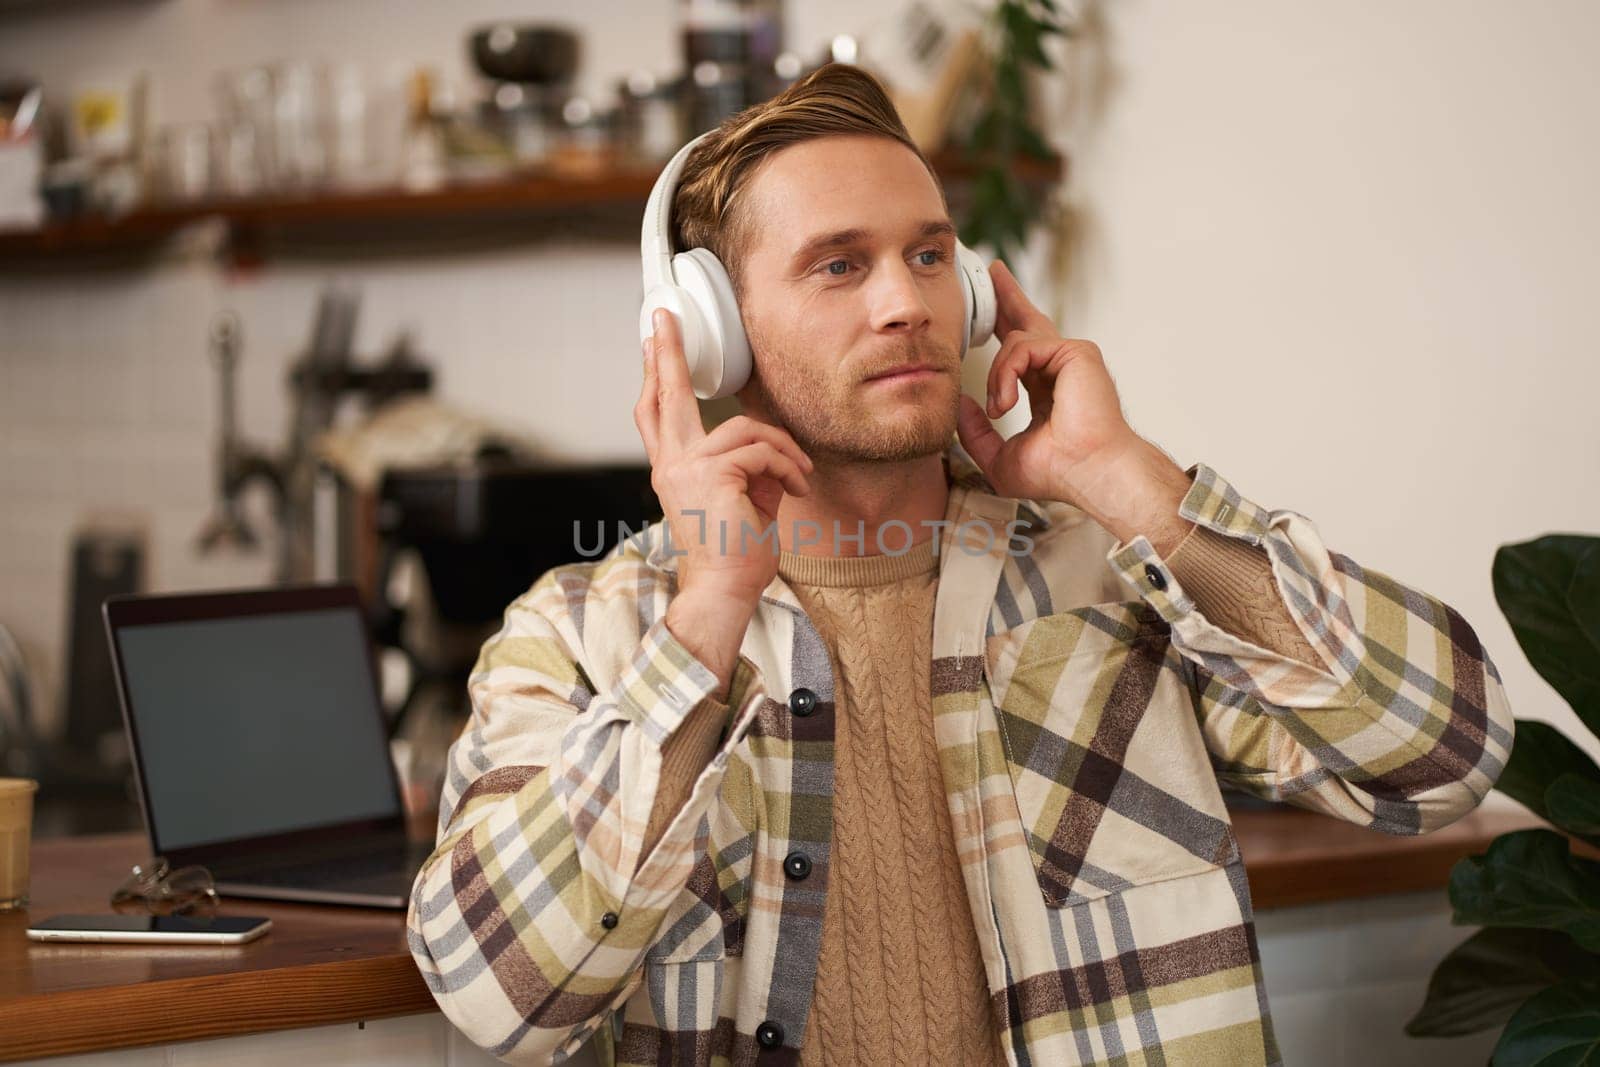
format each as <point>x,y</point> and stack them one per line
<point>324,965</point>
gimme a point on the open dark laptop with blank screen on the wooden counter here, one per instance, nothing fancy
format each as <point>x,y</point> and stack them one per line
<point>260,743</point>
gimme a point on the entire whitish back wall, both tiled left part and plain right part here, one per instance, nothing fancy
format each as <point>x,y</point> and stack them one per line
<point>1340,254</point>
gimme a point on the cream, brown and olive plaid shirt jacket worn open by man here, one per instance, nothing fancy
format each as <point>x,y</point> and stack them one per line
<point>1086,717</point>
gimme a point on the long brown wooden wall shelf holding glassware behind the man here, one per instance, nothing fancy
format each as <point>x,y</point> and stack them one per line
<point>399,220</point>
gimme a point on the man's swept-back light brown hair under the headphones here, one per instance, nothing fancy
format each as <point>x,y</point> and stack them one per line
<point>833,100</point>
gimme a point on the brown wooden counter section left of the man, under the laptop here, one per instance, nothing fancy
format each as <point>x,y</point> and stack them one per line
<point>316,965</point>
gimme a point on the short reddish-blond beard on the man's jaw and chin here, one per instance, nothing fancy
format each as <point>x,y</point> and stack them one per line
<point>834,415</point>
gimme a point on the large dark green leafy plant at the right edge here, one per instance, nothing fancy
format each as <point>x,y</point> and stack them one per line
<point>1535,965</point>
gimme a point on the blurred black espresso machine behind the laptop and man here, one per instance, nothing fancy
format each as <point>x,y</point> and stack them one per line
<point>441,524</point>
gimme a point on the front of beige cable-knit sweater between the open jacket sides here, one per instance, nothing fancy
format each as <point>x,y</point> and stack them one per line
<point>900,977</point>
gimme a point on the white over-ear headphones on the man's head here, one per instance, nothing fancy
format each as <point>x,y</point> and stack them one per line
<point>695,287</point>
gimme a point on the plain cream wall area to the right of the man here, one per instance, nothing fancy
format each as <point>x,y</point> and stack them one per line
<point>1346,255</point>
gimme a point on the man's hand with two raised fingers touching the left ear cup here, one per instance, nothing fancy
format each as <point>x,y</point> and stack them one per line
<point>719,494</point>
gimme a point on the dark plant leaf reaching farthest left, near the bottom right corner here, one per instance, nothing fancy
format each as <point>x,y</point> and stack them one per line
<point>1492,973</point>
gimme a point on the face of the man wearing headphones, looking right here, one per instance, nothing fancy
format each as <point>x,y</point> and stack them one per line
<point>828,319</point>
